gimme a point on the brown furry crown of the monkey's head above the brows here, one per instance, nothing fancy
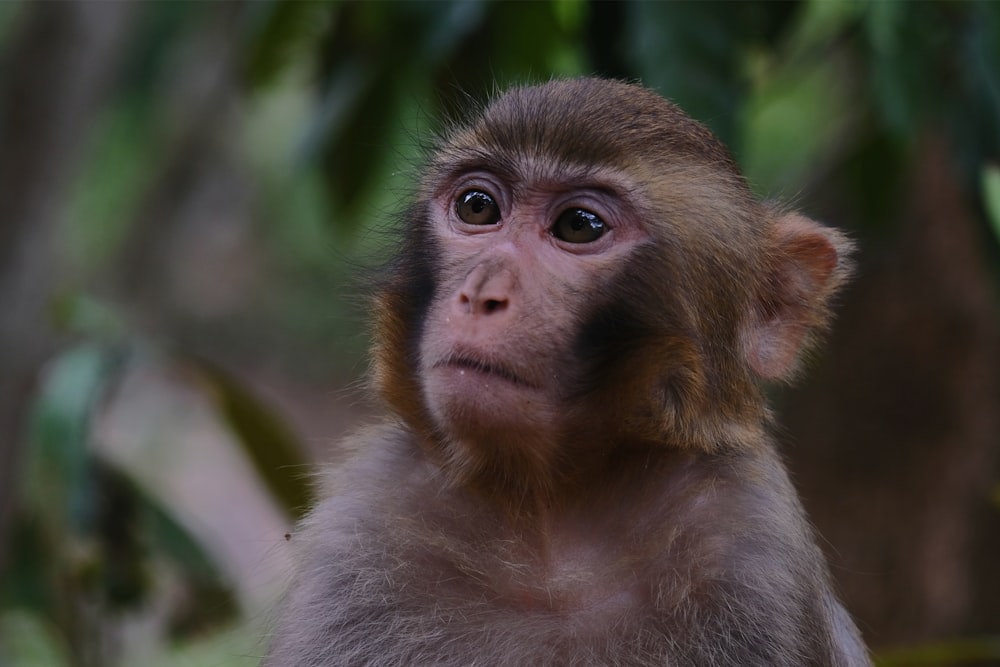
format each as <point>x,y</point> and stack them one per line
<point>591,121</point>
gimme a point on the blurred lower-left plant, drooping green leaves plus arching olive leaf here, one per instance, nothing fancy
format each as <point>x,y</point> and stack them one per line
<point>89,538</point>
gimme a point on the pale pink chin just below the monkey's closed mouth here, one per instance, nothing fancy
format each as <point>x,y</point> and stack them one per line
<point>470,402</point>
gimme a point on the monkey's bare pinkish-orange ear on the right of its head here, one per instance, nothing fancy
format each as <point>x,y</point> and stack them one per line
<point>806,264</point>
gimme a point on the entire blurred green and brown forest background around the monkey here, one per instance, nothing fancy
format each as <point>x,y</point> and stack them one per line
<point>192,196</point>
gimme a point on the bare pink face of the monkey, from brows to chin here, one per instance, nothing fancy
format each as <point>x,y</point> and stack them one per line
<point>523,255</point>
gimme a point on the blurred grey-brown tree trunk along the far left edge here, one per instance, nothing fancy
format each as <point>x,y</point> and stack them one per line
<point>54,75</point>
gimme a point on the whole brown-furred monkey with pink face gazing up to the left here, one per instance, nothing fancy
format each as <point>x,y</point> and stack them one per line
<point>578,468</point>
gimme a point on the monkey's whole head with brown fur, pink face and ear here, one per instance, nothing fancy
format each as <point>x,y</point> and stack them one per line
<point>585,268</point>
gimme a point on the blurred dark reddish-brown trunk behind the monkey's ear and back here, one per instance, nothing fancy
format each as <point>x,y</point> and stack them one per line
<point>895,439</point>
